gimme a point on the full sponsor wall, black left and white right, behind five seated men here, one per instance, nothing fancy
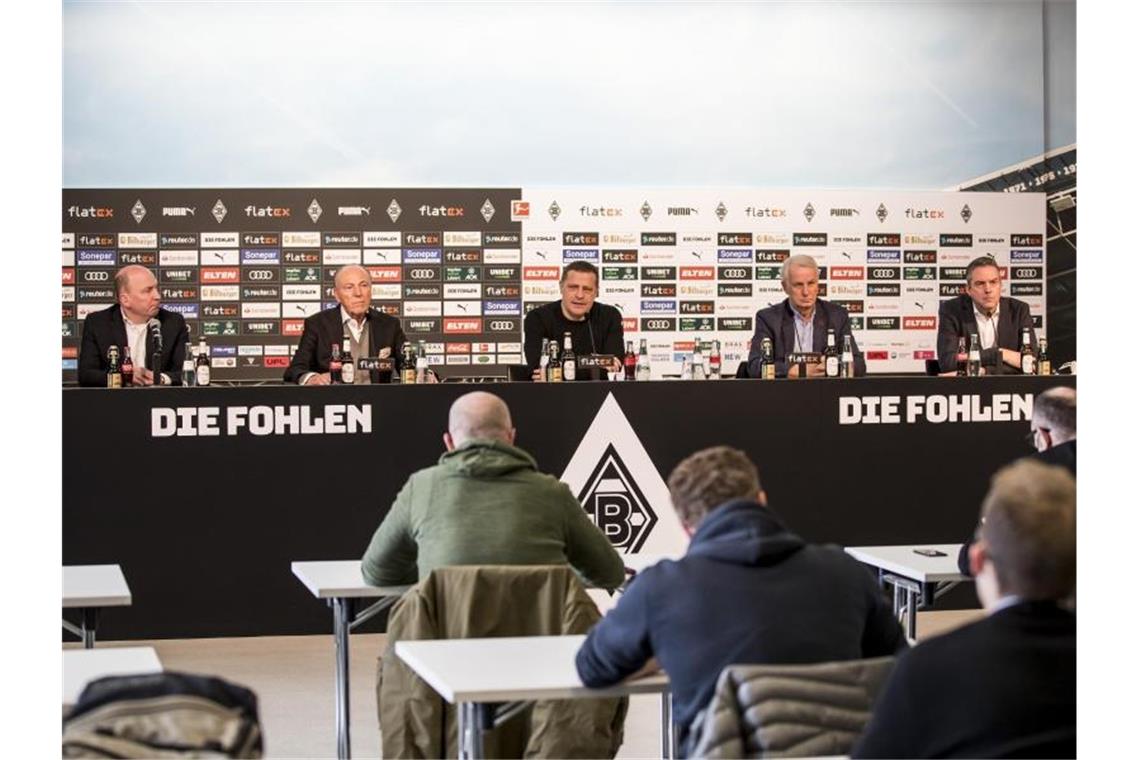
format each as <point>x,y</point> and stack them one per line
<point>461,267</point>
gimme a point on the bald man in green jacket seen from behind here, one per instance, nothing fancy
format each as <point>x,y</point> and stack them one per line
<point>486,504</point>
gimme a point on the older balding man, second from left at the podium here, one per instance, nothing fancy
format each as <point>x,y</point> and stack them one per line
<point>371,333</point>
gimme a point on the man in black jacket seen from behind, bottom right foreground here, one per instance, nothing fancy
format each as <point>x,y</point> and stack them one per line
<point>1005,687</point>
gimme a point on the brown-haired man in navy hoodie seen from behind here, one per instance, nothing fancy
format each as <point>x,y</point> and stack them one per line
<point>748,591</point>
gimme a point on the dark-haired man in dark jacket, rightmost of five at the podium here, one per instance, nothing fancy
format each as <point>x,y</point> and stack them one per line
<point>983,312</point>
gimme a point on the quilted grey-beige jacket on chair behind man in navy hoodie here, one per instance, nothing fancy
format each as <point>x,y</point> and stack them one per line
<point>789,710</point>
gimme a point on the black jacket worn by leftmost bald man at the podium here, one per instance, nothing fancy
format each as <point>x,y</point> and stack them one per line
<point>105,329</point>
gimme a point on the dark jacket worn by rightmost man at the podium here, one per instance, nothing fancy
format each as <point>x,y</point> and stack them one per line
<point>957,320</point>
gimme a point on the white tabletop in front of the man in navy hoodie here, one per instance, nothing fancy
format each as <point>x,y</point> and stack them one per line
<point>509,669</point>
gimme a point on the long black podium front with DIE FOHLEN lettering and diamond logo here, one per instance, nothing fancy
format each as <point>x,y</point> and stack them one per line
<point>239,480</point>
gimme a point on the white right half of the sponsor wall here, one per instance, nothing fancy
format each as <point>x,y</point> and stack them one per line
<point>682,264</point>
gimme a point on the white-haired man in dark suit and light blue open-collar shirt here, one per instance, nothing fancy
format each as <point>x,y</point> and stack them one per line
<point>800,324</point>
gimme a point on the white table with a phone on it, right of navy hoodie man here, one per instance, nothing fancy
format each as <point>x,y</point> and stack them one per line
<point>913,575</point>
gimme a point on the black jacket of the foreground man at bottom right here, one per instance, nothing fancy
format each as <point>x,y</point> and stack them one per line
<point>982,691</point>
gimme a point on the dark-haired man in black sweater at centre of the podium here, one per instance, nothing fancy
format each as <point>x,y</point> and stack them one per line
<point>595,328</point>
